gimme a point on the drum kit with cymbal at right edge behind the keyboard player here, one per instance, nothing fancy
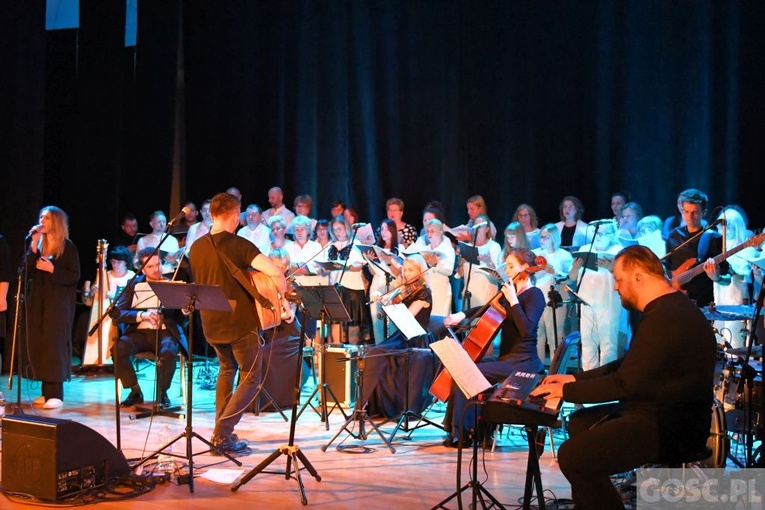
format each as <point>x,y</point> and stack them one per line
<point>738,406</point>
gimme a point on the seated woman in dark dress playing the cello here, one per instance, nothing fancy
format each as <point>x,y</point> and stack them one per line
<point>523,305</point>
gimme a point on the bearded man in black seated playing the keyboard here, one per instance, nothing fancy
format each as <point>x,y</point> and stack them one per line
<point>655,401</point>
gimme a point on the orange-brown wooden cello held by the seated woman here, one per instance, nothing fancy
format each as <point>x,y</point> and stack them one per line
<point>481,334</point>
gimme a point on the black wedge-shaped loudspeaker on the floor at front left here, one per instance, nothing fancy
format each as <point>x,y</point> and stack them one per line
<point>50,459</point>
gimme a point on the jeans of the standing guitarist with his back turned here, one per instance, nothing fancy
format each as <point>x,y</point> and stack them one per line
<point>242,354</point>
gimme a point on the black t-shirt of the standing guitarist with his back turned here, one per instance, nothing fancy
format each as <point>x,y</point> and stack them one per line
<point>208,268</point>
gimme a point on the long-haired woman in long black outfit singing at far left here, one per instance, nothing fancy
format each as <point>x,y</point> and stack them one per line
<point>53,269</point>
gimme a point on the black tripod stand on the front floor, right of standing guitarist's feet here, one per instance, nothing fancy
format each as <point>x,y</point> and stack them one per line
<point>293,453</point>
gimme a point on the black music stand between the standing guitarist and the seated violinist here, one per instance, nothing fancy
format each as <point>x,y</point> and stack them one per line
<point>322,302</point>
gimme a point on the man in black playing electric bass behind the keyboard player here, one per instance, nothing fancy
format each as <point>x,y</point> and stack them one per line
<point>703,248</point>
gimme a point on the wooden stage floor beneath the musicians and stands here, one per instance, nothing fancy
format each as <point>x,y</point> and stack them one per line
<point>419,475</point>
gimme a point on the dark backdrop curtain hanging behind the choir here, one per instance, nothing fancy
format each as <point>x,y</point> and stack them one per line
<point>521,101</point>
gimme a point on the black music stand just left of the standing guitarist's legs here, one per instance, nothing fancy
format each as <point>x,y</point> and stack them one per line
<point>189,296</point>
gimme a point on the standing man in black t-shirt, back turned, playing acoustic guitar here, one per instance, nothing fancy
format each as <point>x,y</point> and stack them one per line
<point>234,335</point>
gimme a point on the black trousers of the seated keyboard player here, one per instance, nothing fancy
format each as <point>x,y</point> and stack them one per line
<point>603,441</point>
